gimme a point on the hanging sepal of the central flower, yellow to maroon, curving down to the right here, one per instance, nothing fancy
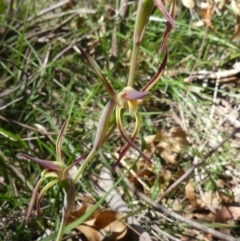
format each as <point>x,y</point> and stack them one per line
<point>125,136</point>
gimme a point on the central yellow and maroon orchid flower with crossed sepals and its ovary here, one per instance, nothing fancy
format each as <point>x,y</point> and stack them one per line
<point>126,99</point>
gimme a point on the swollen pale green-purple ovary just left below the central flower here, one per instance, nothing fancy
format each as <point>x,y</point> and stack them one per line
<point>103,124</point>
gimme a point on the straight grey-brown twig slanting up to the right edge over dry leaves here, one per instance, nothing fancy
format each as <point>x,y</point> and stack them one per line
<point>191,169</point>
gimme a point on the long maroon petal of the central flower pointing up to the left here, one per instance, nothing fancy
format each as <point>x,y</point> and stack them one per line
<point>99,73</point>
